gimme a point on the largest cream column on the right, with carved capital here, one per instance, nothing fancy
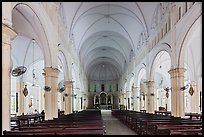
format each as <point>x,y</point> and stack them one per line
<point>177,95</point>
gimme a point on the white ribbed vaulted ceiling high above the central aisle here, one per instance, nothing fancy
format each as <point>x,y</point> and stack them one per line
<point>106,34</point>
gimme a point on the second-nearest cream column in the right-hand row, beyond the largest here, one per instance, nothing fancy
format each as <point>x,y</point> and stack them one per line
<point>150,97</point>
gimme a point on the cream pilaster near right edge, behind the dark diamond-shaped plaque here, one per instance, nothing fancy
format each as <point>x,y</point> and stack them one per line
<point>195,98</point>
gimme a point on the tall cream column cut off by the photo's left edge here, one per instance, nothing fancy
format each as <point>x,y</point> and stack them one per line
<point>8,35</point>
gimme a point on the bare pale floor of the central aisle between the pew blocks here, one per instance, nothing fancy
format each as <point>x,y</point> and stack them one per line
<point>114,126</point>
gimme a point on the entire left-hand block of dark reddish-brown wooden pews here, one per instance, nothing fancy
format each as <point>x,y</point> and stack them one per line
<point>87,122</point>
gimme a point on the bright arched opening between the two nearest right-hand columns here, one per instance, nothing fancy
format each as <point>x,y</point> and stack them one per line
<point>159,74</point>
